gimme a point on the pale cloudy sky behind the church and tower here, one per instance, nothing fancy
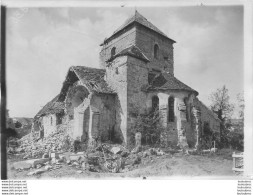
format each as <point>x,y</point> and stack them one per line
<point>42,43</point>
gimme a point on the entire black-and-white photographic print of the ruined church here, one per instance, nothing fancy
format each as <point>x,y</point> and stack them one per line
<point>112,92</point>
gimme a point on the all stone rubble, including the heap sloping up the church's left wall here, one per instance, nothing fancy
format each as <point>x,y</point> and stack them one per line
<point>104,158</point>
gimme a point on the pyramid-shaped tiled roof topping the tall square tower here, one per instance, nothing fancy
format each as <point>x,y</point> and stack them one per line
<point>138,18</point>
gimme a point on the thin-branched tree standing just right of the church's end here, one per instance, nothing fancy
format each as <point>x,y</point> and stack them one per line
<point>221,105</point>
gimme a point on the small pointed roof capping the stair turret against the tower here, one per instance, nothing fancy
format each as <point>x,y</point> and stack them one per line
<point>130,51</point>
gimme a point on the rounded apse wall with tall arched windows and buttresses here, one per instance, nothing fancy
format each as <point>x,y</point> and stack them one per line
<point>172,135</point>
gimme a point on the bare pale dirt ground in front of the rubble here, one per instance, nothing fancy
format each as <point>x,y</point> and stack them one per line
<point>169,165</point>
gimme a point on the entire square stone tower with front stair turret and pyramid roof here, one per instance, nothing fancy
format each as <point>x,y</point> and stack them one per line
<point>131,56</point>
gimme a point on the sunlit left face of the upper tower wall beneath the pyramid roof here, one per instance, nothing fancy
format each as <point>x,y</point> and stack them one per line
<point>120,42</point>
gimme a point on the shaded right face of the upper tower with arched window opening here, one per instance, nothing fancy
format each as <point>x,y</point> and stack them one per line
<point>146,39</point>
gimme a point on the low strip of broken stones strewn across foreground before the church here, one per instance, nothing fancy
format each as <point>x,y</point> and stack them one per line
<point>105,158</point>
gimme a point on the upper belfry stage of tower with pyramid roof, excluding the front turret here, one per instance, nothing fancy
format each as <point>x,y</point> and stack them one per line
<point>138,31</point>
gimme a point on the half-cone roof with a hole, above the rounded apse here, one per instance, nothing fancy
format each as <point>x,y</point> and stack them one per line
<point>166,81</point>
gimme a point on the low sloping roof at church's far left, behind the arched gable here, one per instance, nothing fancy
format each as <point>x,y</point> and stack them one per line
<point>51,107</point>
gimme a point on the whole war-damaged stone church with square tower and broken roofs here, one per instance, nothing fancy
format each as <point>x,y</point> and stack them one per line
<point>136,73</point>
